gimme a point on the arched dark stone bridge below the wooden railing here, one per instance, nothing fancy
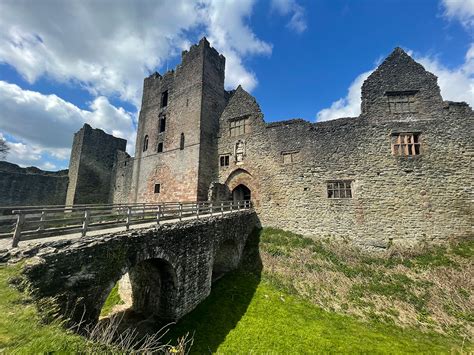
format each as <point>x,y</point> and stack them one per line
<point>170,267</point>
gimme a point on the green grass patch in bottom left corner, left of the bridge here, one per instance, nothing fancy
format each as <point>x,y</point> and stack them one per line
<point>21,330</point>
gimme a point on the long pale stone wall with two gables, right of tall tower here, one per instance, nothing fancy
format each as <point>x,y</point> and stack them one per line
<point>395,199</point>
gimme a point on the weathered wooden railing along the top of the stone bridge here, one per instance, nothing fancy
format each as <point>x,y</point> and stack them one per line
<point>48,221</point>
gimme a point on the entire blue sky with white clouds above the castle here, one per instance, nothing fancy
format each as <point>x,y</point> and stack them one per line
<point>66,63</point>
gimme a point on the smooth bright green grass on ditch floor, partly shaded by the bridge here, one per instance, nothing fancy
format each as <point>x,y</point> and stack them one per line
<point>246,315</point>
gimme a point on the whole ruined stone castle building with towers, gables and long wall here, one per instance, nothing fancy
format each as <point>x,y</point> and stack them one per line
<point>400,172</point>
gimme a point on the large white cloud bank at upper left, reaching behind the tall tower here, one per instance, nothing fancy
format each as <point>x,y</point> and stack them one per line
<point>108,46</point>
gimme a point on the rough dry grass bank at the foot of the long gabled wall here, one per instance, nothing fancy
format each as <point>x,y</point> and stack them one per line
<point>427,288</point>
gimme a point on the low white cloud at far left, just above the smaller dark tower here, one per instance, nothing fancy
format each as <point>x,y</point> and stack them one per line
<point>46,123</point>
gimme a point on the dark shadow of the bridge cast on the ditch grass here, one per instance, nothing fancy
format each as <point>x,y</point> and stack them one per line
<point>230,297</point>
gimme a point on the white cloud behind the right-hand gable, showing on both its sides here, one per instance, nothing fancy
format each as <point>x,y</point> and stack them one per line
<point>456,85</point>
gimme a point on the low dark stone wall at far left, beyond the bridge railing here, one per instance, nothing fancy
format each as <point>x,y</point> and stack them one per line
<point>31,186</point>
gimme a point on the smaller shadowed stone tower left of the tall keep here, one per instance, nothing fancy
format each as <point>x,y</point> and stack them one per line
<point>93,155</point>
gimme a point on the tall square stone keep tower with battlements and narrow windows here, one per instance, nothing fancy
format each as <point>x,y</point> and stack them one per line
<point>176,147</point>
